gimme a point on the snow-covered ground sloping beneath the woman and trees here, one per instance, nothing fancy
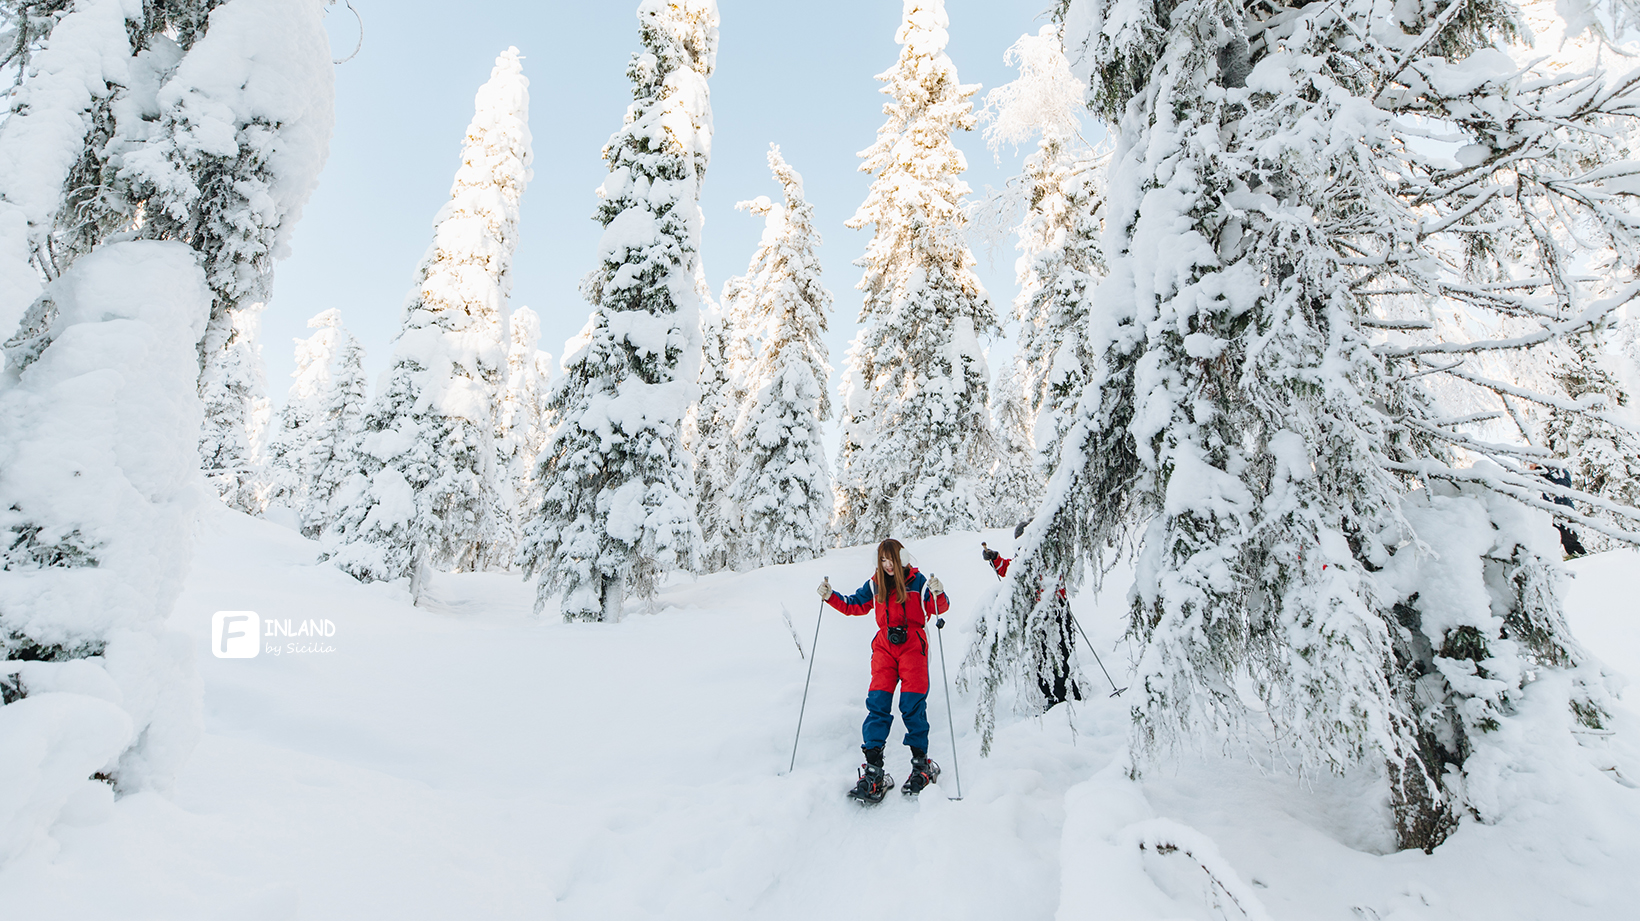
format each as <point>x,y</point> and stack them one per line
<point>467,760</point>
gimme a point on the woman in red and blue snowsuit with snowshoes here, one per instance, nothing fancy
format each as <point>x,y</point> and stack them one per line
<point>903,601</point>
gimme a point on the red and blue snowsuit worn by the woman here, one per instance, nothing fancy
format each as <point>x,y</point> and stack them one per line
<point>904,665</point>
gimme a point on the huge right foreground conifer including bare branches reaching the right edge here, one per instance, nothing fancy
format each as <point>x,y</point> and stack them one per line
<point>1270,224</point>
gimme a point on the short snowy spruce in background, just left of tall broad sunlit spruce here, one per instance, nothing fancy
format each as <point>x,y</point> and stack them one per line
<point>311,451</point>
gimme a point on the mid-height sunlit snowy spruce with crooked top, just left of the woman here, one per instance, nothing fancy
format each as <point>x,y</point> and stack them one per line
<point>783,491</point>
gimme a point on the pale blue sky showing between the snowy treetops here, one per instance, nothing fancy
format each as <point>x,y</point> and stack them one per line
<point>796,75</point>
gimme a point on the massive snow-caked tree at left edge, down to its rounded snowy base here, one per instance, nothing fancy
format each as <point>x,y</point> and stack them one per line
<point>99,402</point>
